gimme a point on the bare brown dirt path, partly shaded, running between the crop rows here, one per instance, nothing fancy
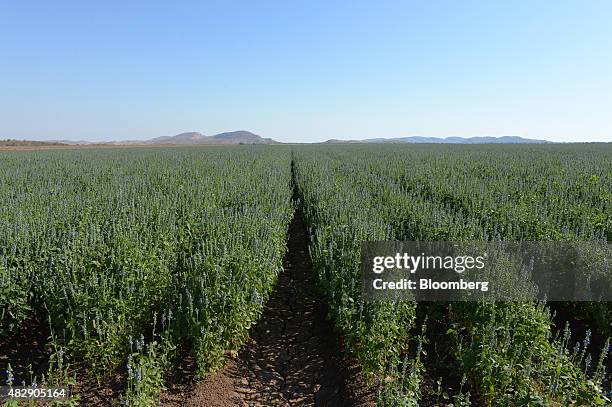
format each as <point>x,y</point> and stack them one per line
<point>293,358</point>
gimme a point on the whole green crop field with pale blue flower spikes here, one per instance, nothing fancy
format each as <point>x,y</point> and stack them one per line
<point>123,269</point>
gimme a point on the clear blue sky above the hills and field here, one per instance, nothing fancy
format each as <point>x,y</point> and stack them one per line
<point>306,70</point>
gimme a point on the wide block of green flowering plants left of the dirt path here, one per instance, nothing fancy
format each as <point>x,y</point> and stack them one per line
<point>130,255</point>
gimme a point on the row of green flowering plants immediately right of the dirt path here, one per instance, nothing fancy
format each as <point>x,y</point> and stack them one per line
<point>341,214</point>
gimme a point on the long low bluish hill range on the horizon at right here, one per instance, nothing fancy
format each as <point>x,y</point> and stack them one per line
<point>447,140</point>
